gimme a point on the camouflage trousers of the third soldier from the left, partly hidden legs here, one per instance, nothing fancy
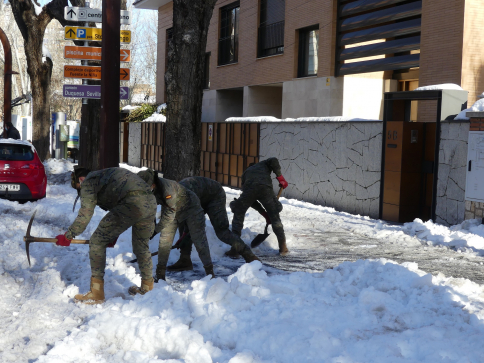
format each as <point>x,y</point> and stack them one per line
<point>217,213</point>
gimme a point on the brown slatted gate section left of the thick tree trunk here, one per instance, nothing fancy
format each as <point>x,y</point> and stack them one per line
<point>153,145</point>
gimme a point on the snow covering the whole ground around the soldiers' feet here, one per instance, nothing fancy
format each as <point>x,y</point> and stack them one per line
<point>370,310</point>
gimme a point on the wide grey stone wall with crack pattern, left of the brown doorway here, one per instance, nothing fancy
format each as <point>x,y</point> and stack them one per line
<point>335,164</point>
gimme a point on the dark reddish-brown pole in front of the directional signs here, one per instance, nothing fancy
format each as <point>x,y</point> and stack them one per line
<point>110,64</point>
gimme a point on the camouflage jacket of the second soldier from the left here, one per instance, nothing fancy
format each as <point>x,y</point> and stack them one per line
<point>174,199</point>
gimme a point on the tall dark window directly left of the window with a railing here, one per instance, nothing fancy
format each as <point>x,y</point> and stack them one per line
<point>228,44</point>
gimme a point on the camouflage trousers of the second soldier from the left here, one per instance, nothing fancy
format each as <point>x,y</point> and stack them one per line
<point>194,219</point>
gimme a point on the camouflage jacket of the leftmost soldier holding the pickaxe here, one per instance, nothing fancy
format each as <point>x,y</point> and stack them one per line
<point>104,188</point>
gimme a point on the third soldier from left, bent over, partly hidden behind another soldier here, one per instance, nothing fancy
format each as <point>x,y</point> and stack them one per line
<point>212,199</point>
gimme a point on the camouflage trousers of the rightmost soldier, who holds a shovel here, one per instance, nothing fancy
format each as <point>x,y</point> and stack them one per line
<point>252,192</point>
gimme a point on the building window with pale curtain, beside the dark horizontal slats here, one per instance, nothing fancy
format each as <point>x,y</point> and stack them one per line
<point>308,52</point>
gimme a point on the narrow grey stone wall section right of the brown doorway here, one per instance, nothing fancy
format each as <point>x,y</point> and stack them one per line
<point>450,207</point>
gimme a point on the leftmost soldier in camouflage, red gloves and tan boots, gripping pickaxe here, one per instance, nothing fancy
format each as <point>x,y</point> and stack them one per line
<point>130,204</point>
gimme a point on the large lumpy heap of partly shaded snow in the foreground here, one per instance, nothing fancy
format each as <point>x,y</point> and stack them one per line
<point>367,311</point>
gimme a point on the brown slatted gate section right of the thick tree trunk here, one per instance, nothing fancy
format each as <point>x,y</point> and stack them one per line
<point>227,150</point>
